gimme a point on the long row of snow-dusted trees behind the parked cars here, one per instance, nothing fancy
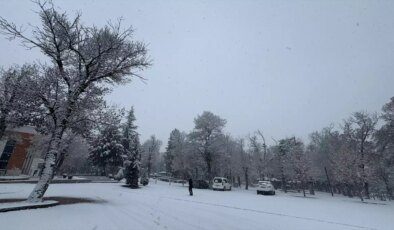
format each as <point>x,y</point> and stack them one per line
<point>355,159</point>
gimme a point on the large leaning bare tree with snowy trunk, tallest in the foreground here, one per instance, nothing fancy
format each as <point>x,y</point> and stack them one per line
<point>85,61</point>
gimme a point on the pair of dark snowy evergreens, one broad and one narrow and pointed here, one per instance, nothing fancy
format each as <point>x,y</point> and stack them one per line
<point>117,145</point>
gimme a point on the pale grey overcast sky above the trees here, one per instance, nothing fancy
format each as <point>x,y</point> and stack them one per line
<point>284,67</point>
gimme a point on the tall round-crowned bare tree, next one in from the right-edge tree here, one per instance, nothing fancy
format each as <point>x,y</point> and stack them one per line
<point>353,162</point>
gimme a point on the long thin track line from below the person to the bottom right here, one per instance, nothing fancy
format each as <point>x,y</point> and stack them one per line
<point>273,213</point>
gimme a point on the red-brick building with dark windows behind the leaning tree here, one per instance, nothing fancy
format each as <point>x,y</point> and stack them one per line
<point>17,157</point>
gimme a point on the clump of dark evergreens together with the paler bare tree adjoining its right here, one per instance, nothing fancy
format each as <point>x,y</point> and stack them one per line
<point>117,146</point>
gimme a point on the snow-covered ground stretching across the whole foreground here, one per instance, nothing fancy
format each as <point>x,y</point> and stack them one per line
<point>160,206</point>
